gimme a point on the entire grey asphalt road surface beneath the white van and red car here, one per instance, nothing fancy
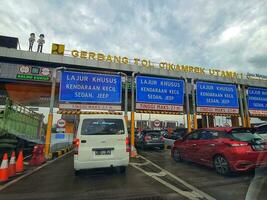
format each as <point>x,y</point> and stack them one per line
<point>57,181</point>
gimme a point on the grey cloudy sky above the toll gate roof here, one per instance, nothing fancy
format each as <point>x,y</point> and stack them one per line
<point>223,34</point>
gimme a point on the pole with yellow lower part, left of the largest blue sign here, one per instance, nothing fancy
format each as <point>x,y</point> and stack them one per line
<point>50,115</point>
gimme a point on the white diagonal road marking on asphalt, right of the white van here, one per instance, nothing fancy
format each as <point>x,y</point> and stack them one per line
<point>195,194</point>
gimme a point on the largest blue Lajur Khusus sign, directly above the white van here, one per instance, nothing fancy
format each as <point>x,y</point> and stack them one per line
<point>90,88</point>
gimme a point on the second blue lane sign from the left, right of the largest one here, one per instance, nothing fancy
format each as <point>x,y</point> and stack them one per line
<point>159,90</point>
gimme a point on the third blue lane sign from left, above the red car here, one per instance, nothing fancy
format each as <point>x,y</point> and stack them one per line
<point>216,95</point>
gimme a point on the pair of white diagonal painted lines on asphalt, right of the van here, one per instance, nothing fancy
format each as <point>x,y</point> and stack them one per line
<point>196,191</point>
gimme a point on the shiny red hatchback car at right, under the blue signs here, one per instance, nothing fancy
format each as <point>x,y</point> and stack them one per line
<point>225,149</point>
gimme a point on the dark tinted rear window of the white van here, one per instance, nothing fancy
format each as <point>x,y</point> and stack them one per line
<point>102,127</point>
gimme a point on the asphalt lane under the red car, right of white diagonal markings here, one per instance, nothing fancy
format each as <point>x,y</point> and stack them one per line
<point>237,186</point>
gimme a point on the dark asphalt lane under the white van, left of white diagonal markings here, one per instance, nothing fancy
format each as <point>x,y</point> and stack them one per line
<point>57,181</point>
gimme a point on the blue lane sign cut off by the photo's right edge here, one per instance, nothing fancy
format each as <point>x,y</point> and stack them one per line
<point>257,98</point>
